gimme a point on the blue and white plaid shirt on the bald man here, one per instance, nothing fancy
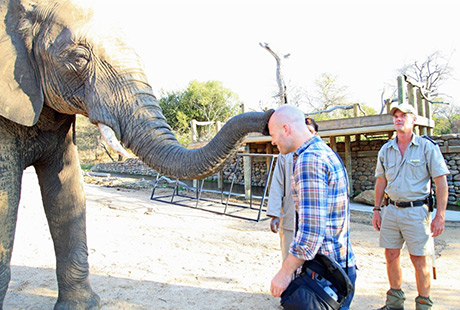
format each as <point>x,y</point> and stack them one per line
<point>320,189</point>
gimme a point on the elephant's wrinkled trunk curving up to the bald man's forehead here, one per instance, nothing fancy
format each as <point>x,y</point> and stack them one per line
<point>149,136</point>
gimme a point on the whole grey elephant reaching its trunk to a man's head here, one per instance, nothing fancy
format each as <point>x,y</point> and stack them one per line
<point>54,66</point>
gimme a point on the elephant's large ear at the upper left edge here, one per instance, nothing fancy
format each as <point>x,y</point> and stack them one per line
<point>21,96</point>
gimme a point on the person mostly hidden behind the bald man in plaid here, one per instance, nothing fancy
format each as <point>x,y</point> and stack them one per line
<point>280,202</point>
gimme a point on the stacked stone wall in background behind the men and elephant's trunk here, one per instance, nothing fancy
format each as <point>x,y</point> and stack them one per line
<point>364,156</point>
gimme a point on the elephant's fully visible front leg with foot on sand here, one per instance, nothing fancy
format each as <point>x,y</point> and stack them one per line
<point>64,201</point>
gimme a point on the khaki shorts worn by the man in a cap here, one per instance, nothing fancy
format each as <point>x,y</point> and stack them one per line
<point>407,225</point>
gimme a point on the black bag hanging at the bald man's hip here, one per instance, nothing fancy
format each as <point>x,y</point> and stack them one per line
<point>305,293</point>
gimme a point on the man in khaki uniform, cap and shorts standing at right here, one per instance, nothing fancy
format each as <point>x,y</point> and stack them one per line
<point>404,167</point>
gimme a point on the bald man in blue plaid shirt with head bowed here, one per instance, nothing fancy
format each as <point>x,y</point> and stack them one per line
<point>320,190</point>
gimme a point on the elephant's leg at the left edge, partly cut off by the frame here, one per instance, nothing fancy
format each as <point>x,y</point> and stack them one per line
<point>10,191</point>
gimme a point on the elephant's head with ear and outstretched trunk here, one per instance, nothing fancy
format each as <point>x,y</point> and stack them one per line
<point>54,58</point>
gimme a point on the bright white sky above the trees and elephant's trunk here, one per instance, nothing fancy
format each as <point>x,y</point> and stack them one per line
<point>362,43</point>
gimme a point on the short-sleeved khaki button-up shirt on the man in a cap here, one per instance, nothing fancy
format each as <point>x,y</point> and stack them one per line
<point>408,177</point>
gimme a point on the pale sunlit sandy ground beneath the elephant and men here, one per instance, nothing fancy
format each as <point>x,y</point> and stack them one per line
<point>147,254</point>
